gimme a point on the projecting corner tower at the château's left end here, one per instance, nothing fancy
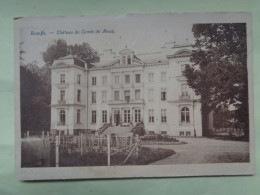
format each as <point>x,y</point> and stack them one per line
<point>68,95</point>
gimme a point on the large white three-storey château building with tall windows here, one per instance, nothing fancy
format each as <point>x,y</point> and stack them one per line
<point>124,90</point>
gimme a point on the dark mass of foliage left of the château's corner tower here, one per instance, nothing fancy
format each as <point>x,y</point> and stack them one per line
<point>35,110</point>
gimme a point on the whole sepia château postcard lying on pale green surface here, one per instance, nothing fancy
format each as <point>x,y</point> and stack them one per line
<point>153,95</point>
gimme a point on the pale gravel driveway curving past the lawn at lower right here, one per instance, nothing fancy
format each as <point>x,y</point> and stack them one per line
<point>205,150</point>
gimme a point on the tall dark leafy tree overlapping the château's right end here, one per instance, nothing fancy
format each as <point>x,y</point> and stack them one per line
<point>219,70</point>
